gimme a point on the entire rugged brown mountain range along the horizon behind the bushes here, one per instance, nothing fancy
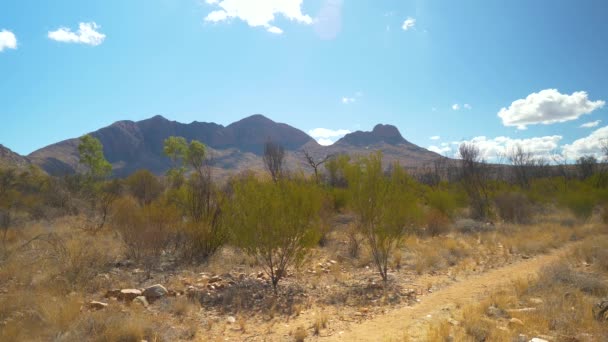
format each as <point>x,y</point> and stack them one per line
<point>130,146</point>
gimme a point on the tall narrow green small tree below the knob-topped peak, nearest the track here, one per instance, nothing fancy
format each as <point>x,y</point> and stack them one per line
<point>385,209</point>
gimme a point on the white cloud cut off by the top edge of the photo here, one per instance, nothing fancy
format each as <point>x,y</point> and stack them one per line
<point>258,13</point>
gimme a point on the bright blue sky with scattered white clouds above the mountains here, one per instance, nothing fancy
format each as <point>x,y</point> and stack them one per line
<point>496,73</point>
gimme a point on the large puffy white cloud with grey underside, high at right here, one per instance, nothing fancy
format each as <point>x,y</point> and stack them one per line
<point>547,107</point>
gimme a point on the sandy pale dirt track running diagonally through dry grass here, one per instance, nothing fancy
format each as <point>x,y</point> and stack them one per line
<point>413,321</point>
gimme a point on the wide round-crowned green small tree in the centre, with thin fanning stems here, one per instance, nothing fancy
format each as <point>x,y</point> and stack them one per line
<point>276,223</point>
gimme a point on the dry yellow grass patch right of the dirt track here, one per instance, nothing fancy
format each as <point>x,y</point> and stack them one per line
<point>557,304</point>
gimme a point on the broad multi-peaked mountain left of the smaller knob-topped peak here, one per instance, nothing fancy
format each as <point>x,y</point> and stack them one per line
<point>130,146</point>
